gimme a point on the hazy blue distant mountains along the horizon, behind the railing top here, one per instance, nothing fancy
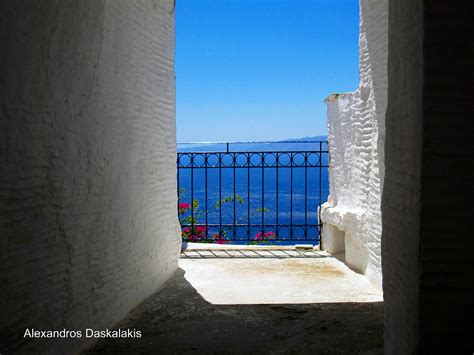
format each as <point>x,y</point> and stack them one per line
<point>299,144</point>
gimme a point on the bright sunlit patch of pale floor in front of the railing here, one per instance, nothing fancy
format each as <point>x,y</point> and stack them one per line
<point>276,281</point>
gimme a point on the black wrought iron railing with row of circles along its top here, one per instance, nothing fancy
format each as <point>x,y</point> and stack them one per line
<point>252,194</point>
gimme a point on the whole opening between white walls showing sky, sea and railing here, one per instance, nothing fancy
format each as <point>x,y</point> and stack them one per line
<point>253,155</point>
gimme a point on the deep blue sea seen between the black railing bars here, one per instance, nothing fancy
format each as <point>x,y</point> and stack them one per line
<point>296,203</point>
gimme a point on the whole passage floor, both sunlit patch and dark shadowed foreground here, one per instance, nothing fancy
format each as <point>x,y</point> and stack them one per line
<point>294,304</point>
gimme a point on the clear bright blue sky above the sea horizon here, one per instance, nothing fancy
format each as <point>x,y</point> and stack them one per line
<point>260,70</point>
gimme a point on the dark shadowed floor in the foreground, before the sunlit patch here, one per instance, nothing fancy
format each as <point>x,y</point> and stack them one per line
<point>177,320</point>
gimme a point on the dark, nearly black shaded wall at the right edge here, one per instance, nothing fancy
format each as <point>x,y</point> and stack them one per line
<point>427,215</point>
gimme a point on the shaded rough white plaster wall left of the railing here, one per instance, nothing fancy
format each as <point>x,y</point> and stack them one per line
<point>88,186</point>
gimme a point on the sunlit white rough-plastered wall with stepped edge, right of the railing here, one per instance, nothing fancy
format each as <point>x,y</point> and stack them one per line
<point>356,124</point>
